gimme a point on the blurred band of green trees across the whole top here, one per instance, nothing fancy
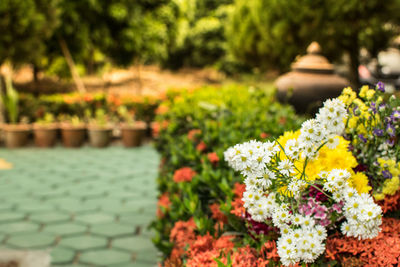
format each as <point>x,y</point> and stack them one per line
<point>230,35</point>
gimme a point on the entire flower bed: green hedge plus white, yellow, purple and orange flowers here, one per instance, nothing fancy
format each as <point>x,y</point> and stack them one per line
<point>325,195</point>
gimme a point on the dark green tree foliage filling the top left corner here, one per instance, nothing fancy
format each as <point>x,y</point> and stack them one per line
<point>25,26</point>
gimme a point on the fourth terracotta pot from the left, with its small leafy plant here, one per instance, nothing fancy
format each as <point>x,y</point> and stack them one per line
<point>99,129</point>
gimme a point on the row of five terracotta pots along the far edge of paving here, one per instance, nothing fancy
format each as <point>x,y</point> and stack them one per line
<point>73,131</point>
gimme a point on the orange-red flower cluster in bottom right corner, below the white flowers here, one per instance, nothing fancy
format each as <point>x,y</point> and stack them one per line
<point>383,250</point>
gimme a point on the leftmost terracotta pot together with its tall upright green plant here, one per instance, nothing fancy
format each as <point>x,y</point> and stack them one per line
<point>16,134</point>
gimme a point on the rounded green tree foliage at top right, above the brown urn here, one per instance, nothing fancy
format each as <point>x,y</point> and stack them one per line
<point>269,33</point>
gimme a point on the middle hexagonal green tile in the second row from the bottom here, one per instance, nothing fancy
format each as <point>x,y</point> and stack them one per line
<point>83,242</point>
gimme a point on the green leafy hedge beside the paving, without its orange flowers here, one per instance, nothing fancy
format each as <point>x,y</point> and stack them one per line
<point>220,118</point>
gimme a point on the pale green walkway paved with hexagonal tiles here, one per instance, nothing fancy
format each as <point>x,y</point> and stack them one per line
<point>88,207</point>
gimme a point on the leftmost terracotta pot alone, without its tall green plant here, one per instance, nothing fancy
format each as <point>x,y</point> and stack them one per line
<point>16,135</point>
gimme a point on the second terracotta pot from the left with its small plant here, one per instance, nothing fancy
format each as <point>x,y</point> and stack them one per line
<point>45,131</point>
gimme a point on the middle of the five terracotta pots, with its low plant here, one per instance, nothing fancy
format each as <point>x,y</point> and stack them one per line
<point>73,131</point>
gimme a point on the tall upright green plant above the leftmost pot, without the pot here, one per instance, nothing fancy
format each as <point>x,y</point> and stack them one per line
<point>10,100</point>
